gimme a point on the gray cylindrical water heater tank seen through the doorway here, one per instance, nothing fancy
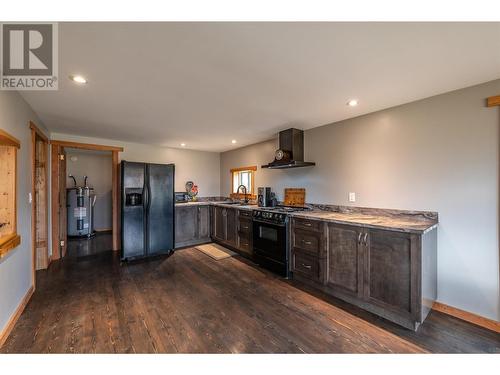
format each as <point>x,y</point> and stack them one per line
<point>80,202</point>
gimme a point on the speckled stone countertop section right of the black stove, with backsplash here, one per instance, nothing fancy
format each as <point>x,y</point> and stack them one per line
<point>396,220</point>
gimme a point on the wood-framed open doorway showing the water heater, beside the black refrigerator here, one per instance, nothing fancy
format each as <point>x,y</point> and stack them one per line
<point>84,198</point>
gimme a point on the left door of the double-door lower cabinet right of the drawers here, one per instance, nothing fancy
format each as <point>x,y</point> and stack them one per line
<point>344,263</point>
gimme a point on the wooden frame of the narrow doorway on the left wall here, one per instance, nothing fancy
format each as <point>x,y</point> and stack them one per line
<point>36,132</point>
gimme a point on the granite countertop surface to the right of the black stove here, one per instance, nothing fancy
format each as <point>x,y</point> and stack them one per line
<point>409,223</point>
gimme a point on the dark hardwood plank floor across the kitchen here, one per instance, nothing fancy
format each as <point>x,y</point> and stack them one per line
<point>190,303</point>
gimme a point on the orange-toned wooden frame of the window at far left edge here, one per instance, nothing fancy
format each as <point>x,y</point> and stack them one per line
<point>11,240</point>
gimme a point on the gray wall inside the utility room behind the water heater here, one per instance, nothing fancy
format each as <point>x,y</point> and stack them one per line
<point>97,165</point>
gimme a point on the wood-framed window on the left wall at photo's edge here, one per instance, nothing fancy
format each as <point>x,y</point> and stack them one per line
<point>8,172</point>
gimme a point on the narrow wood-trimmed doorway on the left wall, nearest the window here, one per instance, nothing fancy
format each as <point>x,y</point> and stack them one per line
<point>39,194</point>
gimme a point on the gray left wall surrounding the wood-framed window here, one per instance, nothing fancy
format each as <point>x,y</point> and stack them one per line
<point>16,267</point>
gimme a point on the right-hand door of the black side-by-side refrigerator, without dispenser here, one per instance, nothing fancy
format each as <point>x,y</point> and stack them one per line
<point>160,208</point>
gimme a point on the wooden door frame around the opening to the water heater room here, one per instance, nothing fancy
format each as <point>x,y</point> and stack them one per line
<point>56,148</point>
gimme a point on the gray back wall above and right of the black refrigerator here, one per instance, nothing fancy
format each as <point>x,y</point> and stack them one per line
<point>199,166</point>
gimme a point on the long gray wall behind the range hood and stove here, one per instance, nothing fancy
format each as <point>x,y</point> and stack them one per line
<point>439,154</point>
